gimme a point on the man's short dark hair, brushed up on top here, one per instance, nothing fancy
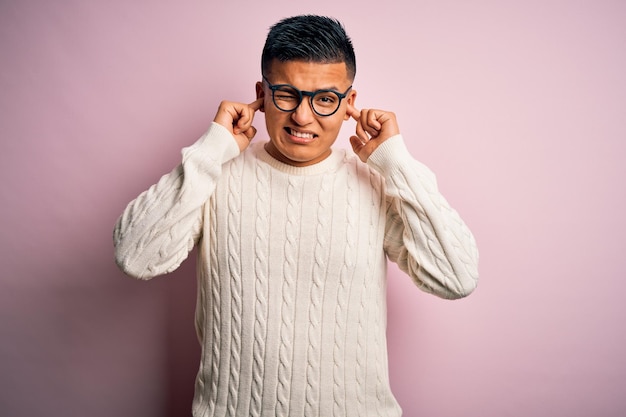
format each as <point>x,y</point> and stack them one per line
<point>309,38</point>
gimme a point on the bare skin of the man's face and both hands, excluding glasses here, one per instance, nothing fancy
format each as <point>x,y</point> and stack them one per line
<point>286,130</point>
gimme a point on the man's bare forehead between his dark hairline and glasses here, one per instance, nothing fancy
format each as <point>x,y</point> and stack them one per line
<point>309,75</point>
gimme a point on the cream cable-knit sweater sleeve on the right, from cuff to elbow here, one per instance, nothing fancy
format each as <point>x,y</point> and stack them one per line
<point>426,237</point>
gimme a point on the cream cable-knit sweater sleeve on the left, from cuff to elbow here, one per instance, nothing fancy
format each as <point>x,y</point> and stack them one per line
<point>157,230</point>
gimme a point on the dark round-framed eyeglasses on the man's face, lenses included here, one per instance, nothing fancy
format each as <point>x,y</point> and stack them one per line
<point>287,98</point>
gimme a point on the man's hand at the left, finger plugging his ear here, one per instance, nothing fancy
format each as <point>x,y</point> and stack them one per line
<point>237,118</point>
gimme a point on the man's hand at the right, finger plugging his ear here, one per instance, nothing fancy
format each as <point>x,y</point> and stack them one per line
<point>373,127</point>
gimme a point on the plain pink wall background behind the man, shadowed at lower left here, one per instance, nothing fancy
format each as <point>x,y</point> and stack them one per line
<point>519,107</point>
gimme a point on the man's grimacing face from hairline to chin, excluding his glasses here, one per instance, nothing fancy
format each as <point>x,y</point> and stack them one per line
<point>302,137</point>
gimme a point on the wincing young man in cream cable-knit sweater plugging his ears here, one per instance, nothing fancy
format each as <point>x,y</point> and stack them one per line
<point>293,237</point>
